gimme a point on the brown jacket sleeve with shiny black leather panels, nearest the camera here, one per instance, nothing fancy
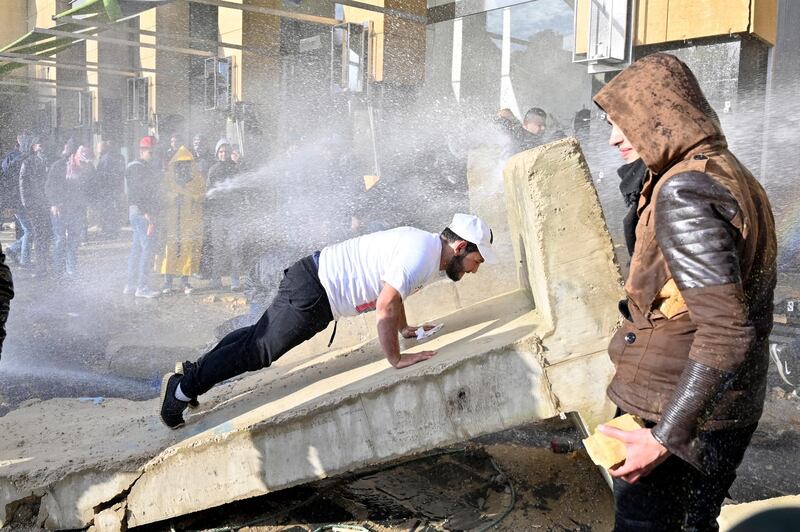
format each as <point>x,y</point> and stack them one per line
<point>700,245</point>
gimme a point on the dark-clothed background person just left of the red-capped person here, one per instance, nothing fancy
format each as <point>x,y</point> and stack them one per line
<point>110,188</point>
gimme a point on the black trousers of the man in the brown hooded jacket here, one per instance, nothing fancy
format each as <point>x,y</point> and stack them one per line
<point>675,496</point>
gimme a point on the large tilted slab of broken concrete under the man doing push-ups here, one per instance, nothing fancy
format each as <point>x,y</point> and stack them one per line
<point>520,356</point>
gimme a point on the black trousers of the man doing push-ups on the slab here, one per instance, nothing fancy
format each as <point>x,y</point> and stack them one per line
<point>299,311</point>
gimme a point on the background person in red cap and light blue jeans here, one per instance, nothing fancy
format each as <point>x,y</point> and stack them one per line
<point>143,178</point>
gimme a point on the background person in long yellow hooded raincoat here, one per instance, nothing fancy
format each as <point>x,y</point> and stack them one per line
<point>183,195</point>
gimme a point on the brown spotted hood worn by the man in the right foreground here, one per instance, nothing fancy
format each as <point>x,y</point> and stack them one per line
<point>658,105</point>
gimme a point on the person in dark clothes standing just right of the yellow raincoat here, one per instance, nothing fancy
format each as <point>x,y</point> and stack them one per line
<point>220,207</point>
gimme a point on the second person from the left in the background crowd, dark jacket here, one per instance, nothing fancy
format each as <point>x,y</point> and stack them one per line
<point>32,180</point>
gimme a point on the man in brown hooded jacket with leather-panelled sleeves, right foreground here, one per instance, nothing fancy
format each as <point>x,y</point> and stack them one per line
<point>691,356</point>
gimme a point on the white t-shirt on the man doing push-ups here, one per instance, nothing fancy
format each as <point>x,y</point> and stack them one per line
<point>353,271</point>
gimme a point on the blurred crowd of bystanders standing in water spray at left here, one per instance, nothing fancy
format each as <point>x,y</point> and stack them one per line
<point>177,230</point>
